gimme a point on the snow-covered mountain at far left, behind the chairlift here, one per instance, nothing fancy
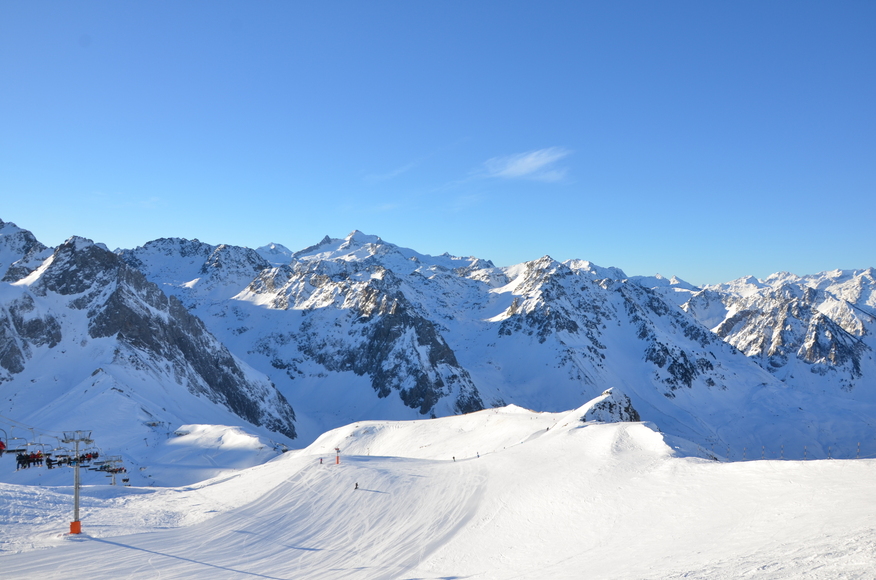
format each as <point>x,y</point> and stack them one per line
<point>87,342</point>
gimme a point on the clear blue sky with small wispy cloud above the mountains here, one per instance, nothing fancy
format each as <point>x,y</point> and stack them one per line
<point>707,140</point>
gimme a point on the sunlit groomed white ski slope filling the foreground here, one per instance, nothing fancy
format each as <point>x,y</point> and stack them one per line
<point>548,497</point>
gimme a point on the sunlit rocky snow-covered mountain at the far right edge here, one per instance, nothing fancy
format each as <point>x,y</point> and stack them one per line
<point>817,333</point>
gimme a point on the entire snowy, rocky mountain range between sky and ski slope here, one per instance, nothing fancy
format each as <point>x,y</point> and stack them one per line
<point>180,331</point>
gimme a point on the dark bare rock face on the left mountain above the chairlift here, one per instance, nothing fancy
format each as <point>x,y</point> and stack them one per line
<point>150,327</point>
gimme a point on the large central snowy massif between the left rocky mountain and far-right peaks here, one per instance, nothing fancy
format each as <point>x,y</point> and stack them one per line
<point>359,328</point>
